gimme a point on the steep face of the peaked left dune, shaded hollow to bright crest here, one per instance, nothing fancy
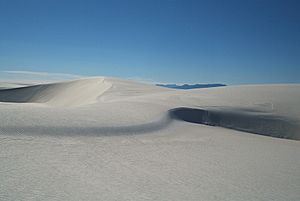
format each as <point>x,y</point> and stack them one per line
<point>72,93</point>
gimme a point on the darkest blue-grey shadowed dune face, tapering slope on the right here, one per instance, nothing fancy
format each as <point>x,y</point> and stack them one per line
<point>254,123</point>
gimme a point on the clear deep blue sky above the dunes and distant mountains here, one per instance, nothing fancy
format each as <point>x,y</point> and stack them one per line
<point>182,41</point>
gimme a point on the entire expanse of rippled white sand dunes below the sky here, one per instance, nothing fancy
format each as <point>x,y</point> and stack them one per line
<point>109,139</point>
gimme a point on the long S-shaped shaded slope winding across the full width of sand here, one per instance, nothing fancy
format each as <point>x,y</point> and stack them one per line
<point>266,125</point>
